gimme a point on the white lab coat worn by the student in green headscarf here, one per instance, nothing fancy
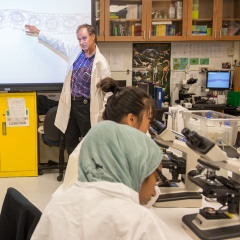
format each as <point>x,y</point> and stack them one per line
<point>99,210</point>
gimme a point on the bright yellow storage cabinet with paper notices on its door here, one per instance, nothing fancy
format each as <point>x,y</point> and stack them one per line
<point>18,144</point>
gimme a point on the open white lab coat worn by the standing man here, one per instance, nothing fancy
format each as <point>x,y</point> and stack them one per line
<point>100,70</point>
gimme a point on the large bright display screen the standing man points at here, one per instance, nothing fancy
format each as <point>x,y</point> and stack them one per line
<point>26,63</point>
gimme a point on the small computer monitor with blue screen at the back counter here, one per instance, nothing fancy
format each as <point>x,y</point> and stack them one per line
<point>218,80</point>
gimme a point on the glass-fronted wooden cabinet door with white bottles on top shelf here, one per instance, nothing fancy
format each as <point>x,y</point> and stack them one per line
<point>166,20</point>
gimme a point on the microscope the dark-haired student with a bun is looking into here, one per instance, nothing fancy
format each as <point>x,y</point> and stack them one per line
<point>176,192</point>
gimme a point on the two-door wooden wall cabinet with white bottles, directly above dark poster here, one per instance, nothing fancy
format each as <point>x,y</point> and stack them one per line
<point>145,20</point>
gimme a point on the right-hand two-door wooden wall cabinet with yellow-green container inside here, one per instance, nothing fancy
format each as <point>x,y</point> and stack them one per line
<point>213,20</point>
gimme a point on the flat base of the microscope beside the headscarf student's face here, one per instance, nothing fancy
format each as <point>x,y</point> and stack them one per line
<point>180,200</point>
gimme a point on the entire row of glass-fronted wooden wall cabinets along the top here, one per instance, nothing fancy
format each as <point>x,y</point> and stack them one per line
<point>166,20</point>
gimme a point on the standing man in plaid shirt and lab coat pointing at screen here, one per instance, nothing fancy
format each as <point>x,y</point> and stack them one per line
<point>81,102</point>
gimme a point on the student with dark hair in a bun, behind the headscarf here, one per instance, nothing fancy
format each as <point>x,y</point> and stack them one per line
<point>127,105</point>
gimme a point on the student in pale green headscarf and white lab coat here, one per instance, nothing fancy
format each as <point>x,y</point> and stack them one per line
<point>116,175</point>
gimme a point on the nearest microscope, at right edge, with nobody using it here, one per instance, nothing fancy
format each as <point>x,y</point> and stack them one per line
<point>211,223</point>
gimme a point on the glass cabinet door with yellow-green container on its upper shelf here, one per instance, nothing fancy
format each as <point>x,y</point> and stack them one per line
<point>202,19</point>
